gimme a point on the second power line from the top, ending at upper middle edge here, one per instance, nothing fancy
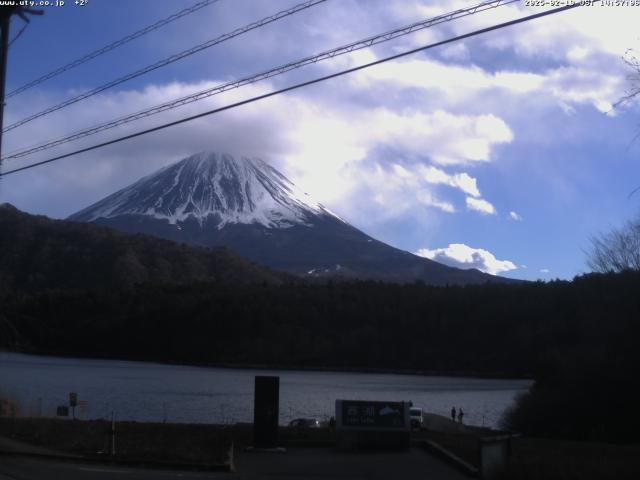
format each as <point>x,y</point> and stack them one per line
<point>169,60</point>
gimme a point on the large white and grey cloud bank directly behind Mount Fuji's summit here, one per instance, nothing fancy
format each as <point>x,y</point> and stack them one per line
<point>322,151</point>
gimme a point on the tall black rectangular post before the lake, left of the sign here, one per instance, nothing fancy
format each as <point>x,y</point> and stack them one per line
<point>266,412</point>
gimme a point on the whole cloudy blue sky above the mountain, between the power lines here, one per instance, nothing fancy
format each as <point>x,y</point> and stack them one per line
<point>501,152</point>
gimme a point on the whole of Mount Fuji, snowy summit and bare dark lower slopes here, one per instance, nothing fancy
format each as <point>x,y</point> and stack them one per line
<point>211,200</point>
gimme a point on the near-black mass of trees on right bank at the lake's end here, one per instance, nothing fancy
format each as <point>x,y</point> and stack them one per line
<point>588,388</point>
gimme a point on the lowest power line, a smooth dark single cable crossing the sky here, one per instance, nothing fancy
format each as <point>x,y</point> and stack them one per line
<point>296,86</point>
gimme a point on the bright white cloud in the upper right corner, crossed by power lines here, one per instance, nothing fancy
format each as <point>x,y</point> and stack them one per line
<point>571,59</point>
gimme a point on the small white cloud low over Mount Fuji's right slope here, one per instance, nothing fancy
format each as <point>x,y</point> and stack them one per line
<point>462,256</point>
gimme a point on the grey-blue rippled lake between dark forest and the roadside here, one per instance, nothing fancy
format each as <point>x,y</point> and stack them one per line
<point>145,391</point>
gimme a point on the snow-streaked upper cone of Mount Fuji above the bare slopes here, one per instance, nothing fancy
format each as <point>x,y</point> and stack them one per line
<point>210,186</point>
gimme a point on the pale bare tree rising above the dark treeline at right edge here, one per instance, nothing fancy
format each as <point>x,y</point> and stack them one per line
<point>616,251</point>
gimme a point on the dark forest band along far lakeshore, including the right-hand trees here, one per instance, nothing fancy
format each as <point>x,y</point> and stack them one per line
<point>578,339</point>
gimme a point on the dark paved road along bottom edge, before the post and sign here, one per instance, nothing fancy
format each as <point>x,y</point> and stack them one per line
<point>295,464</point>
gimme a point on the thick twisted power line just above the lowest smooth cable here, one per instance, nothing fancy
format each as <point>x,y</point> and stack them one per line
<point>367,42</point>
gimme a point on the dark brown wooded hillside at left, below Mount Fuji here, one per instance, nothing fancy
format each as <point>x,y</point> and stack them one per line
<point>40,253</point>
